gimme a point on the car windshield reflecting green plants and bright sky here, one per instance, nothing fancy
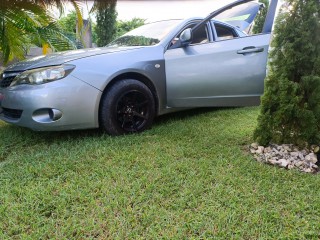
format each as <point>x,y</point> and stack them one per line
<point>146,35</point>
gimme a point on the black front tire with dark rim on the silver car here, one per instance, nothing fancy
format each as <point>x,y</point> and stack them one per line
<point>126,107</point>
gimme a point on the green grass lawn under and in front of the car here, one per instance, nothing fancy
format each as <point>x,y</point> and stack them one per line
<point>189,177</point>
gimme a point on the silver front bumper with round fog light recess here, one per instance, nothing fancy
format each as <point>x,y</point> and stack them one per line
<point>64,104</point>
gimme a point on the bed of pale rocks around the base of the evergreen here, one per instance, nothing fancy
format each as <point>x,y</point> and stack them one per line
<point>286,156</point>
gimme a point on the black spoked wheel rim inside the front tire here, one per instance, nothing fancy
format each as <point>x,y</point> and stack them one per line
<point>132,111</point>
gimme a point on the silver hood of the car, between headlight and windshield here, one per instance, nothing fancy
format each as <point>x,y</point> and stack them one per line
<point>63,57</point>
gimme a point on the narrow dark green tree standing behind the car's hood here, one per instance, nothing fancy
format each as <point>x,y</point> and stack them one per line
<point>106,22</point>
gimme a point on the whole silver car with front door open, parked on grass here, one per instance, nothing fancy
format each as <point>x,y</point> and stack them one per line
<point>155,69</point>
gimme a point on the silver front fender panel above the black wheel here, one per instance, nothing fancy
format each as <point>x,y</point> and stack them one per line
<point>100,70</point>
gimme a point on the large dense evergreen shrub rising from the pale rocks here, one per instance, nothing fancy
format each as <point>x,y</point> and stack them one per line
<point>290,111</point>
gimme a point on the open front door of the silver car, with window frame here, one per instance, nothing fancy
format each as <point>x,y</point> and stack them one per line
<point>221,72</point>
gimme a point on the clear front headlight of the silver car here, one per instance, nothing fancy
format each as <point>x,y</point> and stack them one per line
<point>42,75</point>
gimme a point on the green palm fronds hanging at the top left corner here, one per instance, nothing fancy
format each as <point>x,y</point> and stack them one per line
<point>29,22</point>
